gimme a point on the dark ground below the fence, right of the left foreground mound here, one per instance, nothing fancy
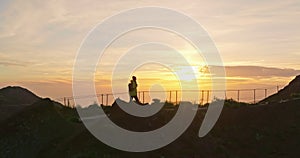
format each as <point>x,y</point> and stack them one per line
<point>252,131</point>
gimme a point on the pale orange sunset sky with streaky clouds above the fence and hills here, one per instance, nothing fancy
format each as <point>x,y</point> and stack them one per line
<point>259,41</point>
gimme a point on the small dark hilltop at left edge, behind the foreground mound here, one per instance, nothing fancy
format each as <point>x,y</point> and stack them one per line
<point>17,95</point>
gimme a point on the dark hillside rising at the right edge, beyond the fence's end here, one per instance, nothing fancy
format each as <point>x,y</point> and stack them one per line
<point>291,91</point>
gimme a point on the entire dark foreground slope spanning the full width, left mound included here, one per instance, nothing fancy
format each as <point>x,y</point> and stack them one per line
<point>250,131</point>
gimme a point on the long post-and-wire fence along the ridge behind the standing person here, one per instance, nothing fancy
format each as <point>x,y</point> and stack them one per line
<point>253,95</point>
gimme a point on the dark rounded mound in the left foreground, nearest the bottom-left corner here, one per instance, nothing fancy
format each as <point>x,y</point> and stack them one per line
<point>38,128</point>
